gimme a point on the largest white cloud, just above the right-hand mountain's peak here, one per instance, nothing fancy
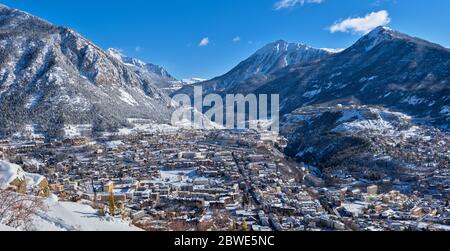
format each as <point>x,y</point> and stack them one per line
<point>362,25</point>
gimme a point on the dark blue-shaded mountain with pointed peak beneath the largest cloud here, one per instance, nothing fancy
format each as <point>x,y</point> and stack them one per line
<point>385,67</point>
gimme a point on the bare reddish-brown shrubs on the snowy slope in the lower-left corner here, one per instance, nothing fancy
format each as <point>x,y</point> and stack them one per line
<point>17,210</point>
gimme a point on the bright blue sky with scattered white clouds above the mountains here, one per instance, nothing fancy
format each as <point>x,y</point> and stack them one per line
<point>170,32</point>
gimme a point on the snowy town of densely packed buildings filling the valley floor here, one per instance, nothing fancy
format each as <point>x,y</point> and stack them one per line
<point>194,180</point>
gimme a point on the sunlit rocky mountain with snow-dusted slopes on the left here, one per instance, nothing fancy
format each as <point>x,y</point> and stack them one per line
<point>50,76</point>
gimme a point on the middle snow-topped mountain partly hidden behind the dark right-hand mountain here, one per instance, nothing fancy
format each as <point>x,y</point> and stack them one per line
<point>259,67</point>
